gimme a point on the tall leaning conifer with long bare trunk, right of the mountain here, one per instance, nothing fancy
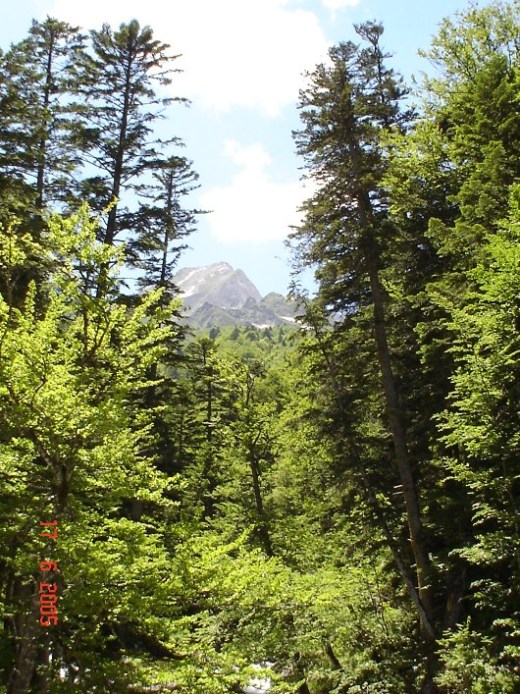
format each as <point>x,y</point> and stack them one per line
<point>346,111</point>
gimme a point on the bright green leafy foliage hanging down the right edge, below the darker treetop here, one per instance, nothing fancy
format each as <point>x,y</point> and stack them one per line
<point>480,422</point>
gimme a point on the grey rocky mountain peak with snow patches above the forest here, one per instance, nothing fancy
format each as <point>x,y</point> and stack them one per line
<point>217,296</point>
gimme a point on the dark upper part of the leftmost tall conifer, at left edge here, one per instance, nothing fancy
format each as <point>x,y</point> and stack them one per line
<point>38,159</point>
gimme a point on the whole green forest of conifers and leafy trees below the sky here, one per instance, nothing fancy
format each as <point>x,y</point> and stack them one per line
<point>330,509</point>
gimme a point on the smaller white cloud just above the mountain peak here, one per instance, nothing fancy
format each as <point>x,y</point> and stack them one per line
<point>253,208</point>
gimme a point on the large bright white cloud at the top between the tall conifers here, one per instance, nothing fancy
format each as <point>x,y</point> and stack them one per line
<point>248,53</point>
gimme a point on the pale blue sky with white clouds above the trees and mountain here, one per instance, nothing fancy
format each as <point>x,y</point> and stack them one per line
<point>243,63</point>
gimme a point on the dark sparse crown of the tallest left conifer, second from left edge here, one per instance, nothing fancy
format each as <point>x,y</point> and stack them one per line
<point>119,79</point>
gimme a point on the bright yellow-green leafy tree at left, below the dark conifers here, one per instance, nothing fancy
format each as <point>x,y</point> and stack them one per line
<point>72,446</point>
